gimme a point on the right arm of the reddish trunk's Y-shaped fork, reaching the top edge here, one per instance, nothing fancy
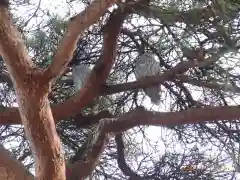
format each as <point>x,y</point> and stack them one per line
<point>76,27</point>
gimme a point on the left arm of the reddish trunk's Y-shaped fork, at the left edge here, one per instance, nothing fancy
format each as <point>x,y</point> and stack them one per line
<point>12,48</point>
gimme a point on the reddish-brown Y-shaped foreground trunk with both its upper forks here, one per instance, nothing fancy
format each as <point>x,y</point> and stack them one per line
<point>32,86</point>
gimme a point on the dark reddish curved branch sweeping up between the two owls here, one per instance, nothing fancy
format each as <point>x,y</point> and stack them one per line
<point>99,73</point>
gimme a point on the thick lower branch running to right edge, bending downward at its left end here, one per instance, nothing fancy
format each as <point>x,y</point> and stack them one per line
<point>139,117</point>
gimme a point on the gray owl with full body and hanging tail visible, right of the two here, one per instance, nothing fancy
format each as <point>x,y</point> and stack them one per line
<point>146,65</point>
